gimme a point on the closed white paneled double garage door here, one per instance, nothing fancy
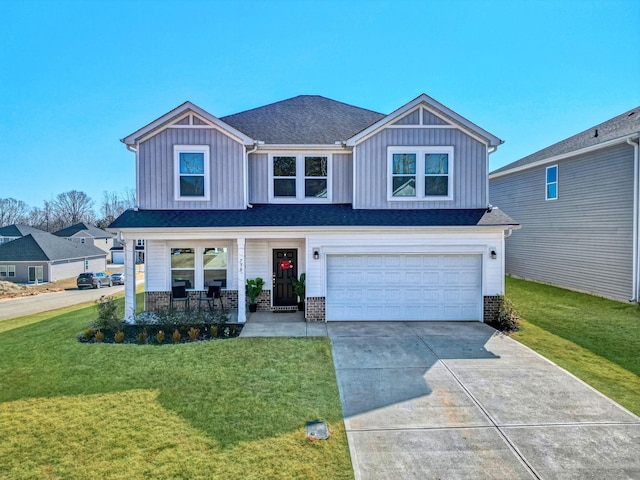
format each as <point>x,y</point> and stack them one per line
<point>404,287</point>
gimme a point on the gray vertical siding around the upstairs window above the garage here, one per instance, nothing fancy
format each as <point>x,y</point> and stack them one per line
<point>469,168</point>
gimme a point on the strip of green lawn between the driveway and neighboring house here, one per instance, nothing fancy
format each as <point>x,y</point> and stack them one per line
<point>597,340</point>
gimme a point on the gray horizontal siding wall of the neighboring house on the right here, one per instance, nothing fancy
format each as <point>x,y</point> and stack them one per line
<point>583,239</point>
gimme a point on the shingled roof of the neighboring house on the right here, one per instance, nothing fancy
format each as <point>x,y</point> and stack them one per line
<point>618,127</point>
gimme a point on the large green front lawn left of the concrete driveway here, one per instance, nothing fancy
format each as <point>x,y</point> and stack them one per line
<point>223,409</point>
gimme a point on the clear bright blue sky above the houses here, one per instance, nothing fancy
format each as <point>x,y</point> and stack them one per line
<point>77,76</point>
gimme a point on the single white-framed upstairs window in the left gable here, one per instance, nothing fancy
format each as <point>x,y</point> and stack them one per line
<point>191,172</point>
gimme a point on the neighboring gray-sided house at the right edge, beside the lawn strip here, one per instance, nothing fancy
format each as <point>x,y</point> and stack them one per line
<point>578,204</point>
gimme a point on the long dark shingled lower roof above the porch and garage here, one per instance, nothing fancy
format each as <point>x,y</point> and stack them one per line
<point>336,215</point>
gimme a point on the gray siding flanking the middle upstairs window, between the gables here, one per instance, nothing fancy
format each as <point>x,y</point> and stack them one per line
<point>341,177</point>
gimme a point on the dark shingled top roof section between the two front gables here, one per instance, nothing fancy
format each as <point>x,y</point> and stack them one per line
<point>303,120</point>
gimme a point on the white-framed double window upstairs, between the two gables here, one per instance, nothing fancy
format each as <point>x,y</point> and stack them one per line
<point>300,178</point>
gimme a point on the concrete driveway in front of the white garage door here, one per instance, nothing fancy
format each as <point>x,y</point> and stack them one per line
<point>449,400</point>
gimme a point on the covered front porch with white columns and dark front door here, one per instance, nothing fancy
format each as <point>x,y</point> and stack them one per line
<point>198,259</point>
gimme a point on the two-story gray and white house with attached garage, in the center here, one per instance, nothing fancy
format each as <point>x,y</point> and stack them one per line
<point>387,215</point>
